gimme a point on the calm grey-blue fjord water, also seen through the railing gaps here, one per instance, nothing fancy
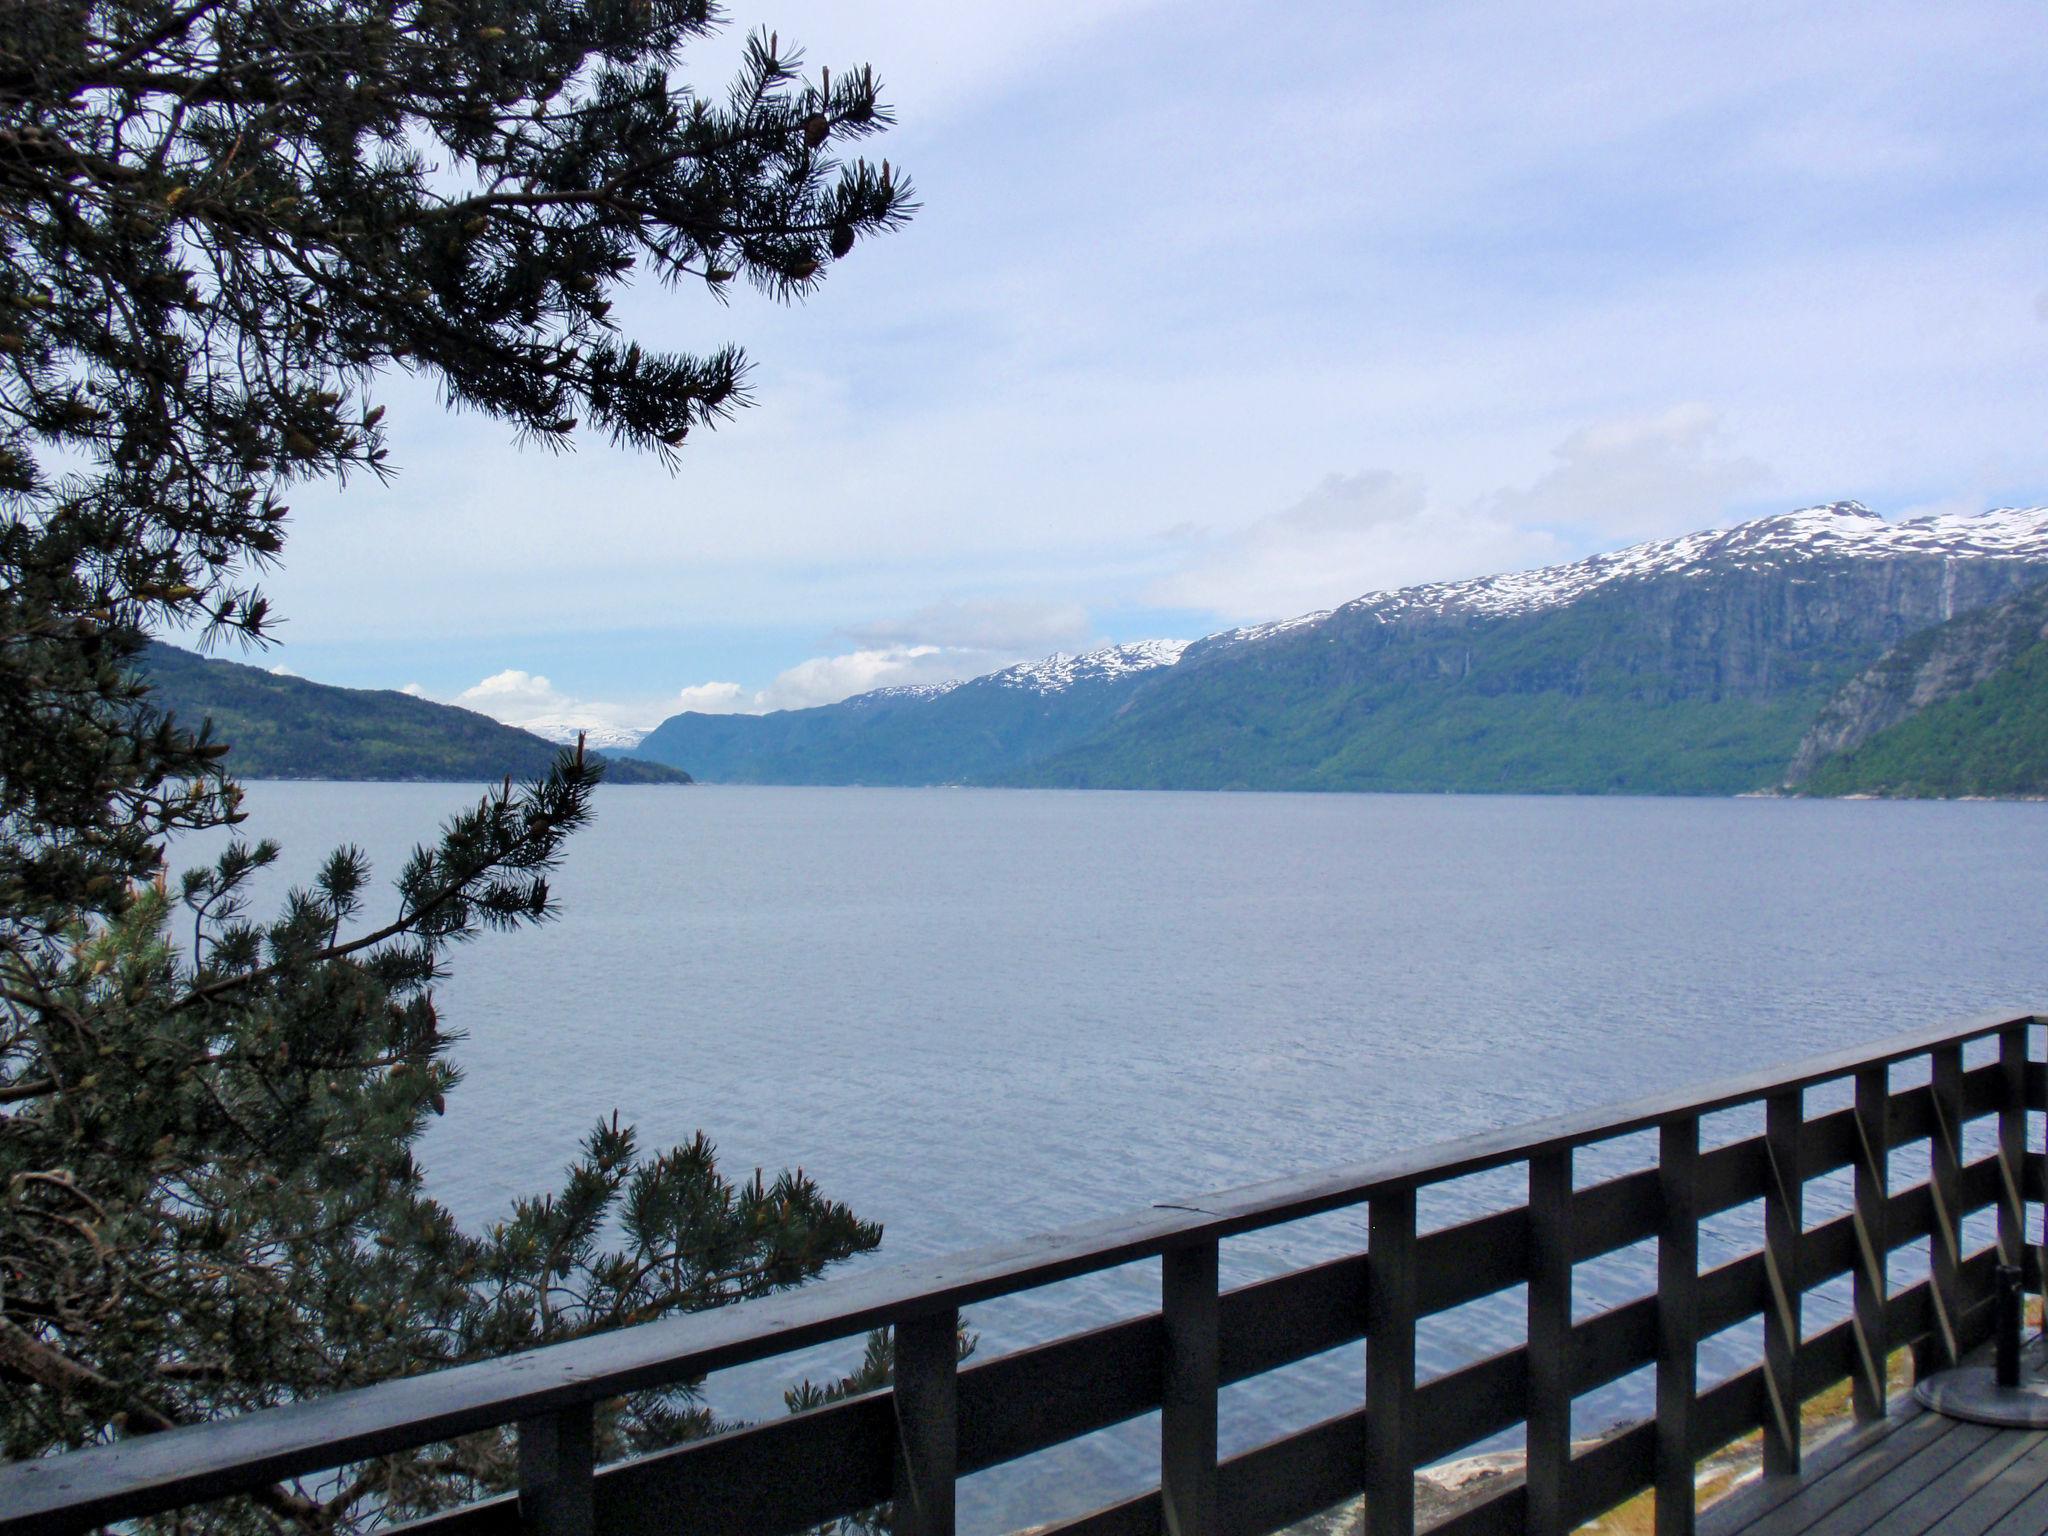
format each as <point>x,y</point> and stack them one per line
<point>980,1015</point>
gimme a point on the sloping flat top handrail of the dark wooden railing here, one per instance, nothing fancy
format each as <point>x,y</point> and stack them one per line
<point>206,1461</point>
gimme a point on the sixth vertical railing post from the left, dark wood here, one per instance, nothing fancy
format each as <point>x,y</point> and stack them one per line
<point>1678,1322</point>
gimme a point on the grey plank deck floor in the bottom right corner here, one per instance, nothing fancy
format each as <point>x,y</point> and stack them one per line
<point>1912,1476</point>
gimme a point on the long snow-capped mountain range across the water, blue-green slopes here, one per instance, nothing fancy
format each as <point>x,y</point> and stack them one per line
<point>1717,663</point>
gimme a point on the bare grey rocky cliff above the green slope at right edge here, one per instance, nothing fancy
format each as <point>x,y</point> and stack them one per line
<point>1924,671</point>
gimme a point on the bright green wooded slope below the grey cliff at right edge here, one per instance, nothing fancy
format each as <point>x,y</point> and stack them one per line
<point>1988,740</point>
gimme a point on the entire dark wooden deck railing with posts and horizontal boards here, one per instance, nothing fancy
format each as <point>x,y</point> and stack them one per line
<point>945,1420</point>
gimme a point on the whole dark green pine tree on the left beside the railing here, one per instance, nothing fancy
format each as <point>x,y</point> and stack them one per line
<point>222,220</point>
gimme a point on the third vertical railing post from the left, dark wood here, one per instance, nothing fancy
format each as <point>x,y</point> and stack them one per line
<point>1189,1416</point>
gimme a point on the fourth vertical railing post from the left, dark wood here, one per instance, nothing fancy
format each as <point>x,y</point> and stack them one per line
<point>1392,1365</point>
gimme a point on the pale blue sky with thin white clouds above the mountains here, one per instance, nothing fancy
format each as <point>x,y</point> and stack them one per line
<point>1222,314</point>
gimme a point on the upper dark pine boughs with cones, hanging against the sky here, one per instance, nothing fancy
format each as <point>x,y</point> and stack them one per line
<point>220,220</point>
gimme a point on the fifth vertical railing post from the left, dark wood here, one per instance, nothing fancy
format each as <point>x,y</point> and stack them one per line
<point>1549,1347</point>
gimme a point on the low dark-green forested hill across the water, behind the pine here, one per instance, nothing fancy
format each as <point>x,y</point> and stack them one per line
<point>290,728</point>
